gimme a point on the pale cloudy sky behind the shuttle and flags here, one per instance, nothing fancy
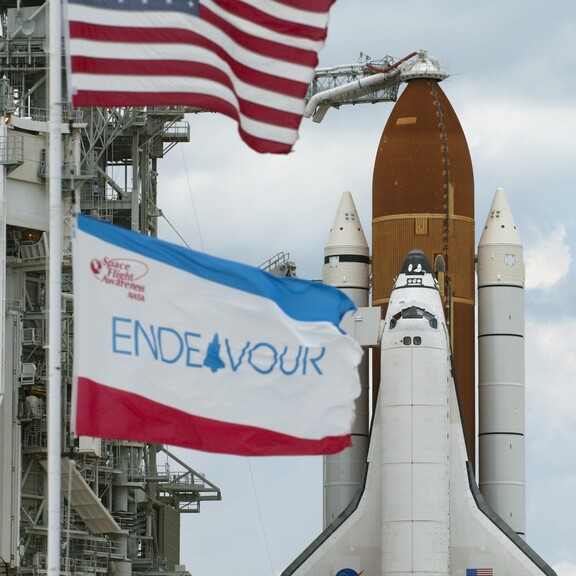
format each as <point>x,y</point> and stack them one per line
<point>512,84</point>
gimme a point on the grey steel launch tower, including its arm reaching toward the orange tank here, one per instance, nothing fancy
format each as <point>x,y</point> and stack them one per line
<point>121,501</point>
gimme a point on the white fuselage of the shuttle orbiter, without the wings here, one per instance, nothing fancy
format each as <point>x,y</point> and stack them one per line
<point>414,388</point>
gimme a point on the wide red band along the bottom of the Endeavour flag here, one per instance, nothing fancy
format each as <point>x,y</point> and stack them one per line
<point>106,412</point>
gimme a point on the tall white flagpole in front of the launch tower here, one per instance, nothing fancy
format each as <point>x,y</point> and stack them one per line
<point>54,283</point>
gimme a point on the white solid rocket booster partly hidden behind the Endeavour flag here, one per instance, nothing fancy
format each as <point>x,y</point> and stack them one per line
<point>347,266</point>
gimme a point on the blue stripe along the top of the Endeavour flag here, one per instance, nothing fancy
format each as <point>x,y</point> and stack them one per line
<point>300,299</point>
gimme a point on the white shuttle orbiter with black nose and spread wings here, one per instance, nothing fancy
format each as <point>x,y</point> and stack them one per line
<point>420,511</point>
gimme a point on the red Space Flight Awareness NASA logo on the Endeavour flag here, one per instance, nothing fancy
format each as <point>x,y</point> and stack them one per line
<point>123,273</point>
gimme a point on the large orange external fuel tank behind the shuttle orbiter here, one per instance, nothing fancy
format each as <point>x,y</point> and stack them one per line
<point>423,196</point>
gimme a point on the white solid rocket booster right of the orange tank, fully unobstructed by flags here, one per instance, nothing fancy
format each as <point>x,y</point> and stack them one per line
<point>501,365</point>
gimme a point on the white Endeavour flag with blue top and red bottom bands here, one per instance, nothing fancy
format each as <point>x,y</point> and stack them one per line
<point>176,347</point>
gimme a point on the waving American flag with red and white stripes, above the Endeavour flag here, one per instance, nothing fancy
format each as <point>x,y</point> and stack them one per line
<point>252,60</point>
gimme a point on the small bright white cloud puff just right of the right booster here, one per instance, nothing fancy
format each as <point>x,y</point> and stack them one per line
<point>547,258</point>
